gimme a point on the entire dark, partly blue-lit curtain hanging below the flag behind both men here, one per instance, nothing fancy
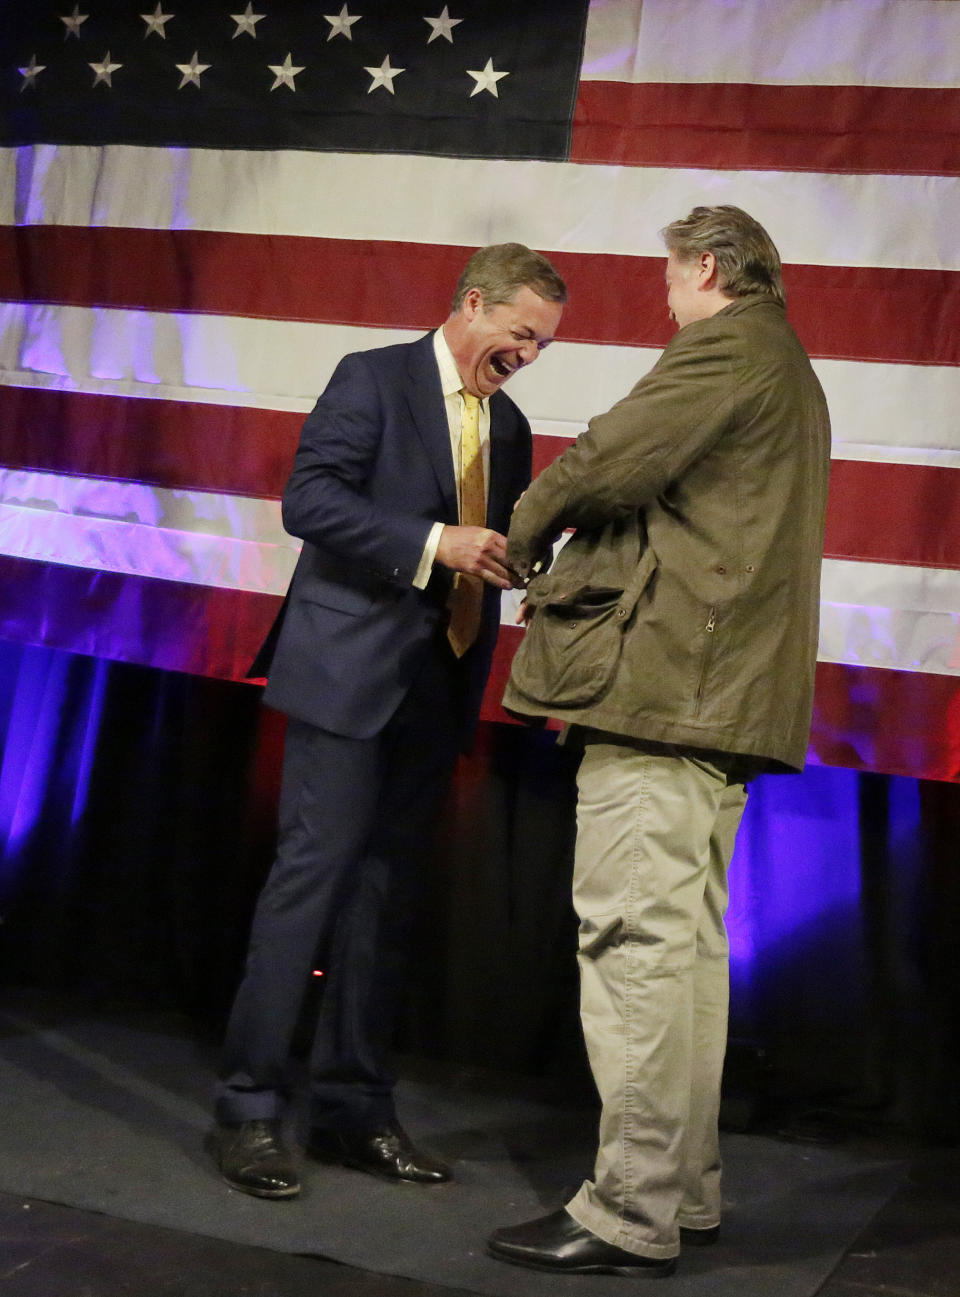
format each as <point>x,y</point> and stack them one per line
<point>137,826</point>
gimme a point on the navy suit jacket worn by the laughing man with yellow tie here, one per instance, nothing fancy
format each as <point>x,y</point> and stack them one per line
<point>372,474</point>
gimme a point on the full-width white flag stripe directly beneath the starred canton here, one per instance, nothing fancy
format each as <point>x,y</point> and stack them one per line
<point>827,220</point>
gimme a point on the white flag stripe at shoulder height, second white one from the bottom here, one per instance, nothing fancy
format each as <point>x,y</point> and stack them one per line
<point>270,364</point>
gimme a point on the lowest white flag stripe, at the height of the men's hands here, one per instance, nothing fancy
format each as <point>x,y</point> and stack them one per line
<point>872,614</point>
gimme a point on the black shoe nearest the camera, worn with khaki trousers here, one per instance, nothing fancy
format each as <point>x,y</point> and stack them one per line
<point>561,1244</point>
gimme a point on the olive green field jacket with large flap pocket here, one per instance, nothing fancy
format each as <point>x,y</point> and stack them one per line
<point>686,608</point>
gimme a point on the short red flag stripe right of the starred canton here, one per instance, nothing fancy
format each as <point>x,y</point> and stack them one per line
<point>747,128</point>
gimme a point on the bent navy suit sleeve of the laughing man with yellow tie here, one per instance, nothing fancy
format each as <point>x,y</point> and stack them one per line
<point>325,501</point>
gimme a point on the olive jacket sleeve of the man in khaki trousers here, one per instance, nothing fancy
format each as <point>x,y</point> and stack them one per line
<point>632,453</point>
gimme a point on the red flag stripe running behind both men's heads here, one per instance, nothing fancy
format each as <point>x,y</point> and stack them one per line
<point>840,312</point>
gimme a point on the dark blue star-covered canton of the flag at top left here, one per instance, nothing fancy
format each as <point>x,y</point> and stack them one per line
<point>374,76</point>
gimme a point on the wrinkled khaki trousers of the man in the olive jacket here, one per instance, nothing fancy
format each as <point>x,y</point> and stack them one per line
<point>656,833</point>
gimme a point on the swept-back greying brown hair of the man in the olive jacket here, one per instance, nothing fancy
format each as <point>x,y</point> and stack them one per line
<point>747,257</point>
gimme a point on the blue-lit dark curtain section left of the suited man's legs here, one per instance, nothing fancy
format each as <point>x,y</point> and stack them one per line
<point>137,824</point>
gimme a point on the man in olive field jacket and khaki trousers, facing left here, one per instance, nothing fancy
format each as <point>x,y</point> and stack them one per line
<point>678,632</point>
